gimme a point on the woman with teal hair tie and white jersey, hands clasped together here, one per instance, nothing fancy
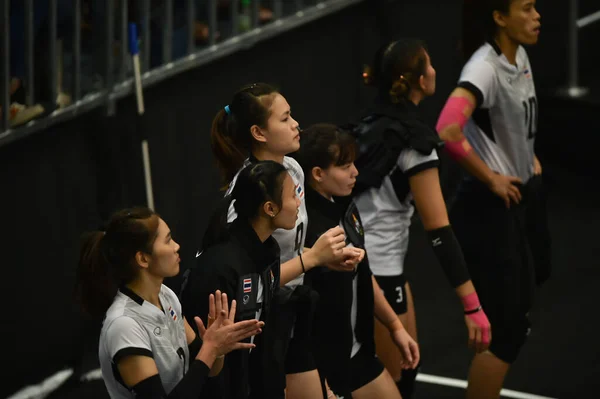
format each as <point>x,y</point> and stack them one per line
<point>257,125</point>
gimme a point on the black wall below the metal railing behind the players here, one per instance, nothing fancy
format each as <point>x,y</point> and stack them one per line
<point>60,182</point>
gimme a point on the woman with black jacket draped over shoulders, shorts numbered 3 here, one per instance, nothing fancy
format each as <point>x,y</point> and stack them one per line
<point>403,76</point>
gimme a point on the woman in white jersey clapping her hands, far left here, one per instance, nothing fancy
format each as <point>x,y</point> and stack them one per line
<point>147,349</point>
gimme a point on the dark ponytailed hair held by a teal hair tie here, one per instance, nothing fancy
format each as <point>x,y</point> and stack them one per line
<point>230,137</point>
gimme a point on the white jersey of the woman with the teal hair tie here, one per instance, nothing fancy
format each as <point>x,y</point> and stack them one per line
<point>291,242</point>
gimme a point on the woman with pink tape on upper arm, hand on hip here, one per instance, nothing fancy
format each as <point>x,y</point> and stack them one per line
<point>489,124</point>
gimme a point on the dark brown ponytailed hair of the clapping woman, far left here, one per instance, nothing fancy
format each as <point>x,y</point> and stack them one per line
<point>107,258</point>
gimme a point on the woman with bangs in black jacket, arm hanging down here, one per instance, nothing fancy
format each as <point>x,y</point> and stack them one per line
<point>344,329</point>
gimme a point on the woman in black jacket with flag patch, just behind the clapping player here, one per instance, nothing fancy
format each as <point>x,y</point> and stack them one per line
<point>242,260</point>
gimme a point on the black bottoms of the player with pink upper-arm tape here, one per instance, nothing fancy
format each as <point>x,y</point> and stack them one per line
<point>497,250</point>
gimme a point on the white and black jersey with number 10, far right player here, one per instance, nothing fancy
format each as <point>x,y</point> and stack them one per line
<point>503,127</point>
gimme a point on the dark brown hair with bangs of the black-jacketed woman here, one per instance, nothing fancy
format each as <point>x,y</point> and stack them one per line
<point>324,145</point>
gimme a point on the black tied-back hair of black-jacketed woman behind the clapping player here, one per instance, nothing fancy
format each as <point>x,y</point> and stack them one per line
<point>256,184</point>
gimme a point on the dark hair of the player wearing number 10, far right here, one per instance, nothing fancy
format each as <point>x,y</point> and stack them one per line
<point>478,24</point>
